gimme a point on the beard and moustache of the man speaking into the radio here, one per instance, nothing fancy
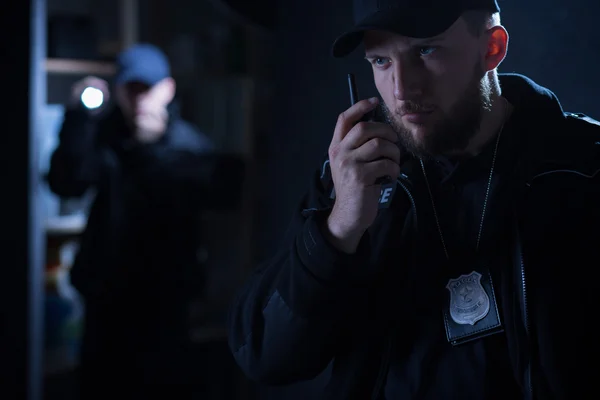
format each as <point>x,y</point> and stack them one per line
<point>454,130</point>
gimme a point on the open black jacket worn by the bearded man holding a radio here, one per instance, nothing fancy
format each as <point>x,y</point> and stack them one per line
<point>311,305</point>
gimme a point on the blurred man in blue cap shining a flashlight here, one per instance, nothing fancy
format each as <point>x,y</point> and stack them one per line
<point>150,171</point>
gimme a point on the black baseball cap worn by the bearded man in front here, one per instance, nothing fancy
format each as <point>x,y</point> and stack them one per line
<point>412,18</point>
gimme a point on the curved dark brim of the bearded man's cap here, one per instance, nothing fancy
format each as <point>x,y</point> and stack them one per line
<point>415,24</point>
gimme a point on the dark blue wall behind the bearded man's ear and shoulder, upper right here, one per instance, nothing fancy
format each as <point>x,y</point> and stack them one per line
<point>556,43</point>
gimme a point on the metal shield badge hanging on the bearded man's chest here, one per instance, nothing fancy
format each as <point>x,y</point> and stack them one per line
<point>469,302</point>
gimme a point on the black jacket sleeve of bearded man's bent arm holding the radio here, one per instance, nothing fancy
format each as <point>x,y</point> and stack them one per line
<point>284,324</point>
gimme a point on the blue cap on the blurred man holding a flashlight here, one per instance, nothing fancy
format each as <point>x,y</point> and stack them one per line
<point>143,63</point>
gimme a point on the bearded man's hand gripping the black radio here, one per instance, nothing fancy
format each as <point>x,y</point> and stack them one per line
<point>359,153</point>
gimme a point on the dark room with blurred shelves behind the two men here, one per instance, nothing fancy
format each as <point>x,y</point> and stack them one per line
<point>258,79</point>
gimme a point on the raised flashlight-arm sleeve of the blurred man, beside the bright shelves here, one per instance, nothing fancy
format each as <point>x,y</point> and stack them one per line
<point>75,163</point>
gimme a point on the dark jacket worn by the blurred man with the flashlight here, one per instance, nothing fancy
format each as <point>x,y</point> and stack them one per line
<point>144,228</point>
